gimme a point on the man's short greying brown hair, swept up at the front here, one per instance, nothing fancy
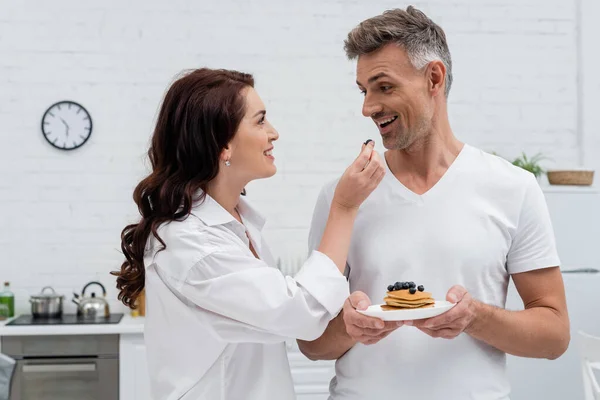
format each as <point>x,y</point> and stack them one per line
<point>423,40</point>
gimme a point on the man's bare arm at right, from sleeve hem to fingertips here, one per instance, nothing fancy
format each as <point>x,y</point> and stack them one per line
<point>540,331</point>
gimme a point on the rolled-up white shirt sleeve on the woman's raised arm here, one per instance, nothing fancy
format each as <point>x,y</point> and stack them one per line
<point>254,302</point>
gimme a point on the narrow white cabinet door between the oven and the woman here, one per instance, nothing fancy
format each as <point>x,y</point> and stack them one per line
<point>134,382</point>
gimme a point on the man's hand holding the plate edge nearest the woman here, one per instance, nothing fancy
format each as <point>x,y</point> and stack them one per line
<point>361,328</point>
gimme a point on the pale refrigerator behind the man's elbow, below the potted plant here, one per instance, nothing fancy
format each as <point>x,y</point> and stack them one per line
<point>575,214</point>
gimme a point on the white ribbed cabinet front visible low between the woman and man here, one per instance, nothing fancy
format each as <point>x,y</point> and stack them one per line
<point>311,378</point>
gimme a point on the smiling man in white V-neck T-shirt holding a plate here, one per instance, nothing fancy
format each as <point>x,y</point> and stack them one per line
<point>448,216</point>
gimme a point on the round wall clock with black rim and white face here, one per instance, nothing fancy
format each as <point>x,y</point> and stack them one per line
<point>66,125</point>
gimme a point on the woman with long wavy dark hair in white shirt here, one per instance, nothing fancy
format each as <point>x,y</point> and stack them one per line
<point>218,311</point>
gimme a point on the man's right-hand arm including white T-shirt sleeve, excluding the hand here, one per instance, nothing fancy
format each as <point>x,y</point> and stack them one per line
<point>542,329</point>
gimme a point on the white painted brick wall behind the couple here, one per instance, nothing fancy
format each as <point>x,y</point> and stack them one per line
<point>515,67</point>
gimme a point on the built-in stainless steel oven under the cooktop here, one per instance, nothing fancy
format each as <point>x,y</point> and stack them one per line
<point>64,367</point>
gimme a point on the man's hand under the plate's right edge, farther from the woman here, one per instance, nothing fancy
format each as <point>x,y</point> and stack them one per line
<point>452,323</point>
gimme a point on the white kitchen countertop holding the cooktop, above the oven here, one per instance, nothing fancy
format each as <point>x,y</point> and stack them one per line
<point>127,325</point>
